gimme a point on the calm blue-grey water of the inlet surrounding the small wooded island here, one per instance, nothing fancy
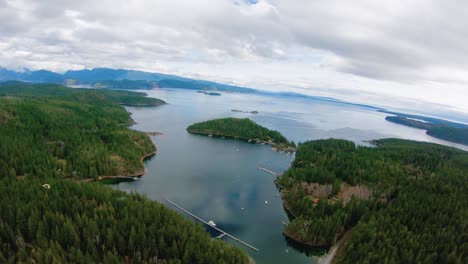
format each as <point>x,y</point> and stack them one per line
<point>215,178</point>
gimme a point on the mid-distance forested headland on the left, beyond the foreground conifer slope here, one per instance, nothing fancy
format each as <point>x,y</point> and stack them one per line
<point>68,132</point>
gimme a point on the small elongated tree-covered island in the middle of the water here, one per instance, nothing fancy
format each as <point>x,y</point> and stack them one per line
<point>244,129</point>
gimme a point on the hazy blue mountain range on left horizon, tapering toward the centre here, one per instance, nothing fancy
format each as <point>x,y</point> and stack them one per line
<point>117,79</point>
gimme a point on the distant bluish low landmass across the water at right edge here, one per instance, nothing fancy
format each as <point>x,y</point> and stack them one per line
<point>456,134</point>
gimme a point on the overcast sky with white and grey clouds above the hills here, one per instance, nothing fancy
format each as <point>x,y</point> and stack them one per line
<point>410,54</point>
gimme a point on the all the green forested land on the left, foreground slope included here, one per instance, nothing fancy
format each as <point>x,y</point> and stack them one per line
<point>53,137</point>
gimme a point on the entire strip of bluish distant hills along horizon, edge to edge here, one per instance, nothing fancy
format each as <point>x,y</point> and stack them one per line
<point>131,79</point>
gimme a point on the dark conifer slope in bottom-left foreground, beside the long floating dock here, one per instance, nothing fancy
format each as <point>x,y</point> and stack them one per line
<point>90,223</point>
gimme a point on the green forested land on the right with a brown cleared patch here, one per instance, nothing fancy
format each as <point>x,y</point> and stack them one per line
<point>405,200</point>
